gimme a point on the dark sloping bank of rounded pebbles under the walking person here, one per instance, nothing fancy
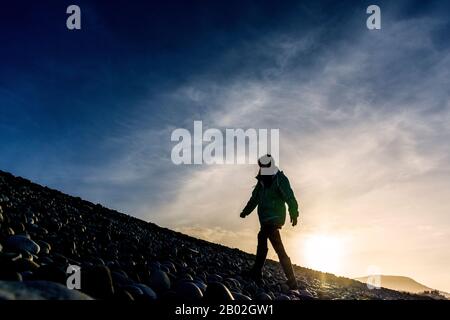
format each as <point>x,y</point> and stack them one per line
<point>42,231</point>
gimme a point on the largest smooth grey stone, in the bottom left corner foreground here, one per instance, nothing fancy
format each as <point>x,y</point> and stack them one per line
<point>38,290</point>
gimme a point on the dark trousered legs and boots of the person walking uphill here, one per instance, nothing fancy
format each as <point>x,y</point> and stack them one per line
<point>273,234</point>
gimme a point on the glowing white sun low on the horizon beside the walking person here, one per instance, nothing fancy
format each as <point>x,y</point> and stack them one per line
<point>323,253</point>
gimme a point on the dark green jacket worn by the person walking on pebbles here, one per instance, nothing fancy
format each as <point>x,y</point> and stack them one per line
<point>271,201</point>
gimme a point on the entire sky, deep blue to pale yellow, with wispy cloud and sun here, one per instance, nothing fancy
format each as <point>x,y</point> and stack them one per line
<point>364,119</point>
